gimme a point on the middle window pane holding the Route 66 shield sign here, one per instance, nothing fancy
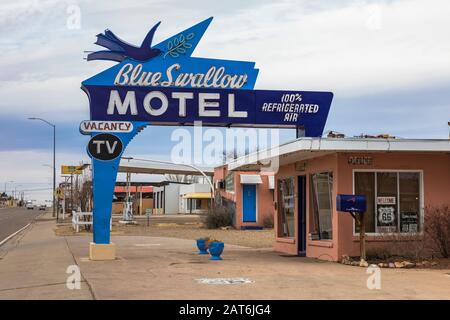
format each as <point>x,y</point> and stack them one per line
<point>387,201</point>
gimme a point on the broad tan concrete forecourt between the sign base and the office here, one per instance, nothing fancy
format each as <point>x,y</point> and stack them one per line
<point>168,268</point>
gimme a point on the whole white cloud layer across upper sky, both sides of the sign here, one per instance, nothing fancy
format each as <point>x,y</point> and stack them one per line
<point>356,48</point>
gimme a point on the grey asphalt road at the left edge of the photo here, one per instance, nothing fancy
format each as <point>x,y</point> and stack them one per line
<point>12,219</point>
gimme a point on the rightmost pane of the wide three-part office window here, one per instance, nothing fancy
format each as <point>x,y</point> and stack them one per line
<point>409,201</point>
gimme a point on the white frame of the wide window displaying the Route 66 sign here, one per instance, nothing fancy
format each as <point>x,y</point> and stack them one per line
<point>421,199</point>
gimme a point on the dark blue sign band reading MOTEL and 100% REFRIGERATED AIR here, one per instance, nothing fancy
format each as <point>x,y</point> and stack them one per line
<point>221,107</point>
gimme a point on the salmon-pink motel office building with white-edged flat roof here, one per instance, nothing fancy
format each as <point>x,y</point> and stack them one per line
<point>399,177</point>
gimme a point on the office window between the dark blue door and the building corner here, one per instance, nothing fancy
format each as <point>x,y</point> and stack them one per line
<point>322,184</point>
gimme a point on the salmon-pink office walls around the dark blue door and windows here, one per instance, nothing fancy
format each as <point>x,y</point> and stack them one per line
<point>436,184</point>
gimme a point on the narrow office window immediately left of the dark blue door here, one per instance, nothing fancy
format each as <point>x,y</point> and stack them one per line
<point>286,208</point>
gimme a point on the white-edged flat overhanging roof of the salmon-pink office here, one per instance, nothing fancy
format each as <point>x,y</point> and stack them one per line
<point>307,148</point>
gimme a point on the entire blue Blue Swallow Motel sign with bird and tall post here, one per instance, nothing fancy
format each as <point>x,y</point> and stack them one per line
<point>163,84</point>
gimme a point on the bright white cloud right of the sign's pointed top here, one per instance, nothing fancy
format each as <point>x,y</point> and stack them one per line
<point>340,49</point>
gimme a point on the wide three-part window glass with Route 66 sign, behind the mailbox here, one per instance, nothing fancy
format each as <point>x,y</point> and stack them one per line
<point>393,201</point>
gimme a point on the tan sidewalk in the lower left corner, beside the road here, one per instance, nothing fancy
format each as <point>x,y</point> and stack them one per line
<point>33,265</point>
